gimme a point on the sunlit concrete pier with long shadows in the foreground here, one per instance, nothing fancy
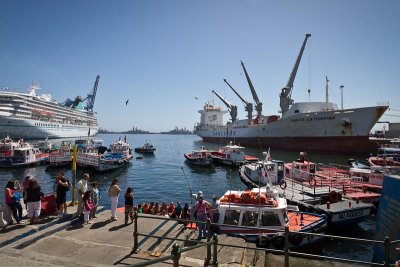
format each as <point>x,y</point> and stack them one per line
<point>69,242</point>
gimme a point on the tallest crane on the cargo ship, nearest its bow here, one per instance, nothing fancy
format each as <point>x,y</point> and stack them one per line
<point>286,94</point>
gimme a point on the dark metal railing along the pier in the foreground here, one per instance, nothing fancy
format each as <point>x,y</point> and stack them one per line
<point>212,240</point>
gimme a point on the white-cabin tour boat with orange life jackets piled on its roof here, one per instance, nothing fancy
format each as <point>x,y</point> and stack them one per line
<point>267,214</point>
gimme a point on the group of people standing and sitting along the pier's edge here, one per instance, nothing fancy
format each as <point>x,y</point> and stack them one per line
<point>88,200</point>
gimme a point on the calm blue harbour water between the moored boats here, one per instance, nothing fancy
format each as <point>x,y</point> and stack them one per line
<point>160,177</point>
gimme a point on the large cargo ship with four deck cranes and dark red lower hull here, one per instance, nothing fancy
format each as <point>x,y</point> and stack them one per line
<point>311,126</point>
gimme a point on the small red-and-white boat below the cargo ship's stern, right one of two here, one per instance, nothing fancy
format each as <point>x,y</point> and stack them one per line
<point>232,155</point>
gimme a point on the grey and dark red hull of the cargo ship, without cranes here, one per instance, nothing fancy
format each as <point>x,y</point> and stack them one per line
<point>330,131</point>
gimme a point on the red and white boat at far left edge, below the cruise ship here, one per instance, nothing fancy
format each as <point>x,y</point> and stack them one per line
<point>20,154</point>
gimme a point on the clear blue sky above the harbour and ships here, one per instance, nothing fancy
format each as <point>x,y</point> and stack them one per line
<point>163,54</point>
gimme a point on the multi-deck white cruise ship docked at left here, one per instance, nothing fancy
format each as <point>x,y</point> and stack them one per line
<point>32,116</point>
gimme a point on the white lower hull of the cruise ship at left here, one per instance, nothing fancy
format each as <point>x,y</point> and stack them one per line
<point>34,129</point>
